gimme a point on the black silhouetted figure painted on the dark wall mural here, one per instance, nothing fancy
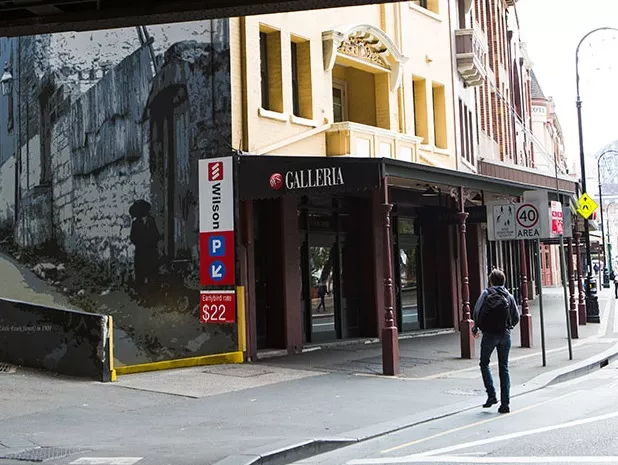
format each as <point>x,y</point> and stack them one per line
<point>145,237</point>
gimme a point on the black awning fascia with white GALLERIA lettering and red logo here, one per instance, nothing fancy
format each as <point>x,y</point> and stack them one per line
<point>271,176</point>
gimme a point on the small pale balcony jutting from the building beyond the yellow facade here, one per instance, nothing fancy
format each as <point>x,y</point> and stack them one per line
<point>471,55</point>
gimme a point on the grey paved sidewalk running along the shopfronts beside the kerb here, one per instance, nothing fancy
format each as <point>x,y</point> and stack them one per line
<point>242,413</point>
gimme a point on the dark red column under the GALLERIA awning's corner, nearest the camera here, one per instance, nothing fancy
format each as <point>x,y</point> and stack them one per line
<point>390,337</point>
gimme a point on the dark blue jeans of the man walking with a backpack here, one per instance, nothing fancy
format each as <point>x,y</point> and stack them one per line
<point>502,344</point>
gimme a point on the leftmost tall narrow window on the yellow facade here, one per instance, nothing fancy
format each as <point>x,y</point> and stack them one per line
<point>270,71</point>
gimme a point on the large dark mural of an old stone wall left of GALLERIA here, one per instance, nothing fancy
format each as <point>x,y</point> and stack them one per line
<point>100,134</point>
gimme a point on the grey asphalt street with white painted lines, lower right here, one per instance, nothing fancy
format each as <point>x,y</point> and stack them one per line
<point>573,422</point>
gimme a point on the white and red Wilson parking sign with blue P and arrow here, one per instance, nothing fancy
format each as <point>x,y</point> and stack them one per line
<point>217,241</point>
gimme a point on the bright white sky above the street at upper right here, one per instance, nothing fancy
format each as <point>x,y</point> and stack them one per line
<point>552,29</point>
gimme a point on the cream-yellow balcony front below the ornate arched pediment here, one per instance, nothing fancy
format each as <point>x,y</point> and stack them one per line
<point>359,140</point>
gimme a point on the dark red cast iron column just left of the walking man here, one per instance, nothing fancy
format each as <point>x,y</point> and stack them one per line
<point>465,327</point>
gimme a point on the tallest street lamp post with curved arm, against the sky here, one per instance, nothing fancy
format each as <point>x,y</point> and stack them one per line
<point>592,301</point>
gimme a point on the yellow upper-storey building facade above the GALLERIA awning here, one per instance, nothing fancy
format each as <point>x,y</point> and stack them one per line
<point>365,81</point>
